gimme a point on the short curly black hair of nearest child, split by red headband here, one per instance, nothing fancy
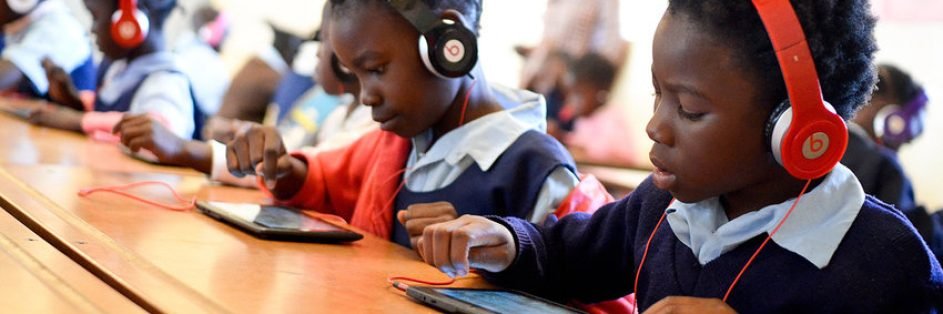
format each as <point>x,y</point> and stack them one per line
<point>840,34</point>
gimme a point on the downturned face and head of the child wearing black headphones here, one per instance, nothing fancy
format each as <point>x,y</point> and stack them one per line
<point>380,48</point>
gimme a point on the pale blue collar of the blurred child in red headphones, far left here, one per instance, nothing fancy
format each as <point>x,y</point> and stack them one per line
<point>122,76</point>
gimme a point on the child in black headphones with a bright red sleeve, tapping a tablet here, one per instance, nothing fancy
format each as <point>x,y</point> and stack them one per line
<point>442,139</point>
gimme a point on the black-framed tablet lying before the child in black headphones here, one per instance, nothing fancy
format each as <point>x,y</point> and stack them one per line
<point>277,223</point>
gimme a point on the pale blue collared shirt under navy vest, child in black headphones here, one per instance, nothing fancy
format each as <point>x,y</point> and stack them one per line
<point>482,141</point>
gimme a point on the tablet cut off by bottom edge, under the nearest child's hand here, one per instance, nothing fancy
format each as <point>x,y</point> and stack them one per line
<point>463,300</point>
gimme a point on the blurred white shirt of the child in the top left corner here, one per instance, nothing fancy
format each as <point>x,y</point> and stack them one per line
<point>50,30</point>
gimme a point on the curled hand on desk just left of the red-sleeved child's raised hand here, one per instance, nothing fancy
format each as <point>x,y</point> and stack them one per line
<point>141,131</point>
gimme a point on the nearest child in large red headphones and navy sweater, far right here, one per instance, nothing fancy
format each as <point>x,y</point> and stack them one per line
<point>717,80</point>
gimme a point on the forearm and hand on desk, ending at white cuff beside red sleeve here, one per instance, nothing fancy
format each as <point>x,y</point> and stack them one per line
<point>144,132</point>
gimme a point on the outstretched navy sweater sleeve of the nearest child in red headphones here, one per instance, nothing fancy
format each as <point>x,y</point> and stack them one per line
<point>589,258</point>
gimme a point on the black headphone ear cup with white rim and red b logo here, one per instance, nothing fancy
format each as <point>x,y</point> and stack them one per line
<point>449,50</point>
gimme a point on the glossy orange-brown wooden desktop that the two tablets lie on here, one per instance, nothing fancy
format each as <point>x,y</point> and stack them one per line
<point>171,261</point>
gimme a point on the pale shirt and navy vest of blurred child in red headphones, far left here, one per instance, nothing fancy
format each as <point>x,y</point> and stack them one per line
<point>152,84</point>
